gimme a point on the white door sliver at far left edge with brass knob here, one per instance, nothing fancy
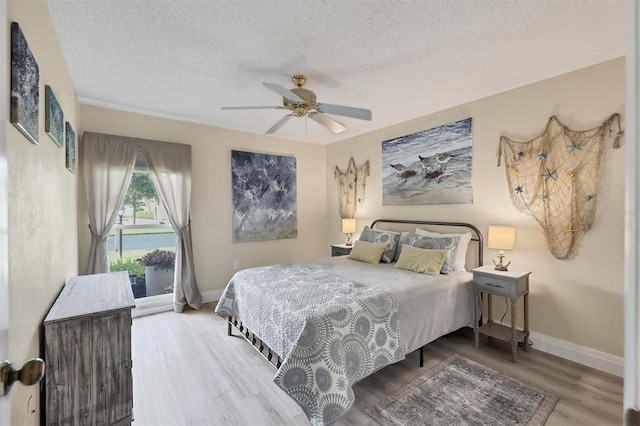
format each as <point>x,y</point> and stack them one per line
<point>5,415</point>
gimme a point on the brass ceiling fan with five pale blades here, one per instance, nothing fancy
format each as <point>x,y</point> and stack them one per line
<point>302,103</point>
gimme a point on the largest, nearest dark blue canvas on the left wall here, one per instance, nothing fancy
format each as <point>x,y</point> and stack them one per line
<point>25,78</point>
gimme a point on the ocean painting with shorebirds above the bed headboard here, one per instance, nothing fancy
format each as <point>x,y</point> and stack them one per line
<point>432,166</point>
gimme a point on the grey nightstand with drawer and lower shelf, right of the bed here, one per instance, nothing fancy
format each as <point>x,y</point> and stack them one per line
<point>511,285</point>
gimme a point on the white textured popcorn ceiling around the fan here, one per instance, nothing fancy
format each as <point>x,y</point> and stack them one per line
<point>185,59</point>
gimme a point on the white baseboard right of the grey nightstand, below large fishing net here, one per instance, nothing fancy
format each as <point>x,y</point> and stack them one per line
<point>581,354</point>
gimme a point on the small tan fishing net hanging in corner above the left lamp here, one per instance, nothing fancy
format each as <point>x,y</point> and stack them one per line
<point>351,185</point>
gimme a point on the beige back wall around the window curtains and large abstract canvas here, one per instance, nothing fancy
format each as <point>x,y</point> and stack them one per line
<point>211,192</point>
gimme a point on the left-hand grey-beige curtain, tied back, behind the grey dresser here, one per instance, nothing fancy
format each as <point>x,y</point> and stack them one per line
<point>108,165</point>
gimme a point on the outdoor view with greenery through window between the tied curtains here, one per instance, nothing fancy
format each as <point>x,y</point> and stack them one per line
<point>142,241</point>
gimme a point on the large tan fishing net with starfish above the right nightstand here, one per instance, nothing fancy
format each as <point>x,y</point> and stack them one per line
<point>555,179</point>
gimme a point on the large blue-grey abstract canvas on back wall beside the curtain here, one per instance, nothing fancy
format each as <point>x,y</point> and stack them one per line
<point>264,196</point>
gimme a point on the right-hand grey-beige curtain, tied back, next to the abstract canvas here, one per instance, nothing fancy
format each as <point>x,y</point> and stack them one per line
<point>170,167</point>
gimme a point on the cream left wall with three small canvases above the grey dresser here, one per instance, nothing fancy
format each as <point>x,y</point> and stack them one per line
<point>43,239</point>
